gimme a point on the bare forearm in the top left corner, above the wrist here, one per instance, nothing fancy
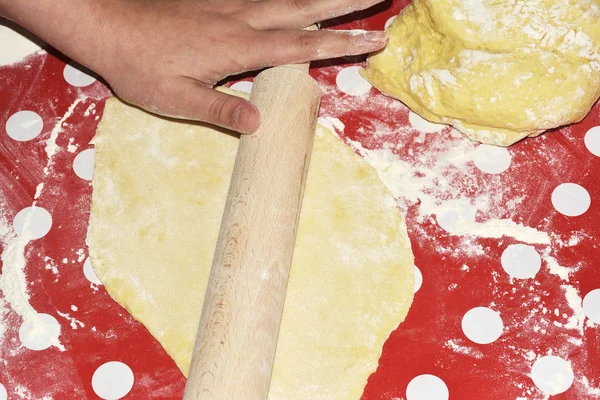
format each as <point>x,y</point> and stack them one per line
<point>74,27</point>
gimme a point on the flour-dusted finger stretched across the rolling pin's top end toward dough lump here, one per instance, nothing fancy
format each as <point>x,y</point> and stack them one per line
<point>298,46</point>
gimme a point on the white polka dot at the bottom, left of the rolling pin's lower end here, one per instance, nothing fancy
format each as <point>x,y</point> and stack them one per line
<point>112,380</point>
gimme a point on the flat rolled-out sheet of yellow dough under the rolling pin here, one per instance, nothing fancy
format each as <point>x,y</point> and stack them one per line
<point>159,192</point>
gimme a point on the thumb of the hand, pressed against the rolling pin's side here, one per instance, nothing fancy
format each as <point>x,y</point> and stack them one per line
<point>187,99</point>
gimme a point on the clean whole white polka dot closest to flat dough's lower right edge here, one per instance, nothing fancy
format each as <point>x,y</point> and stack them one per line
<point>482,325</point>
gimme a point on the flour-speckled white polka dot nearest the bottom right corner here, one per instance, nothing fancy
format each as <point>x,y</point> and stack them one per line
<point>552,375</point>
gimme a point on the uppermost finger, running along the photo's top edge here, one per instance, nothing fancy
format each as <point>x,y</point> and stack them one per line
<point>288,14</point>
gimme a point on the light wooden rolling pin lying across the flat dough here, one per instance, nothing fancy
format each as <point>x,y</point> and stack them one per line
<point>235,346</point>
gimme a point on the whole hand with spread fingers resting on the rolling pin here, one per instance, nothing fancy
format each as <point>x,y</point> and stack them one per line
<point>166,55</point>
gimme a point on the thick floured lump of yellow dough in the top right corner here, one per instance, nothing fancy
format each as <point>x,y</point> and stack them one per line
<point>498,71</point>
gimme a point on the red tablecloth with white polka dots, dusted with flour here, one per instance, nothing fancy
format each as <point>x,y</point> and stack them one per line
<point>507,291</point>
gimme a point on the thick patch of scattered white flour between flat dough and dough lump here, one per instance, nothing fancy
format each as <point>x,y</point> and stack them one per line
<point>429,183</point>
